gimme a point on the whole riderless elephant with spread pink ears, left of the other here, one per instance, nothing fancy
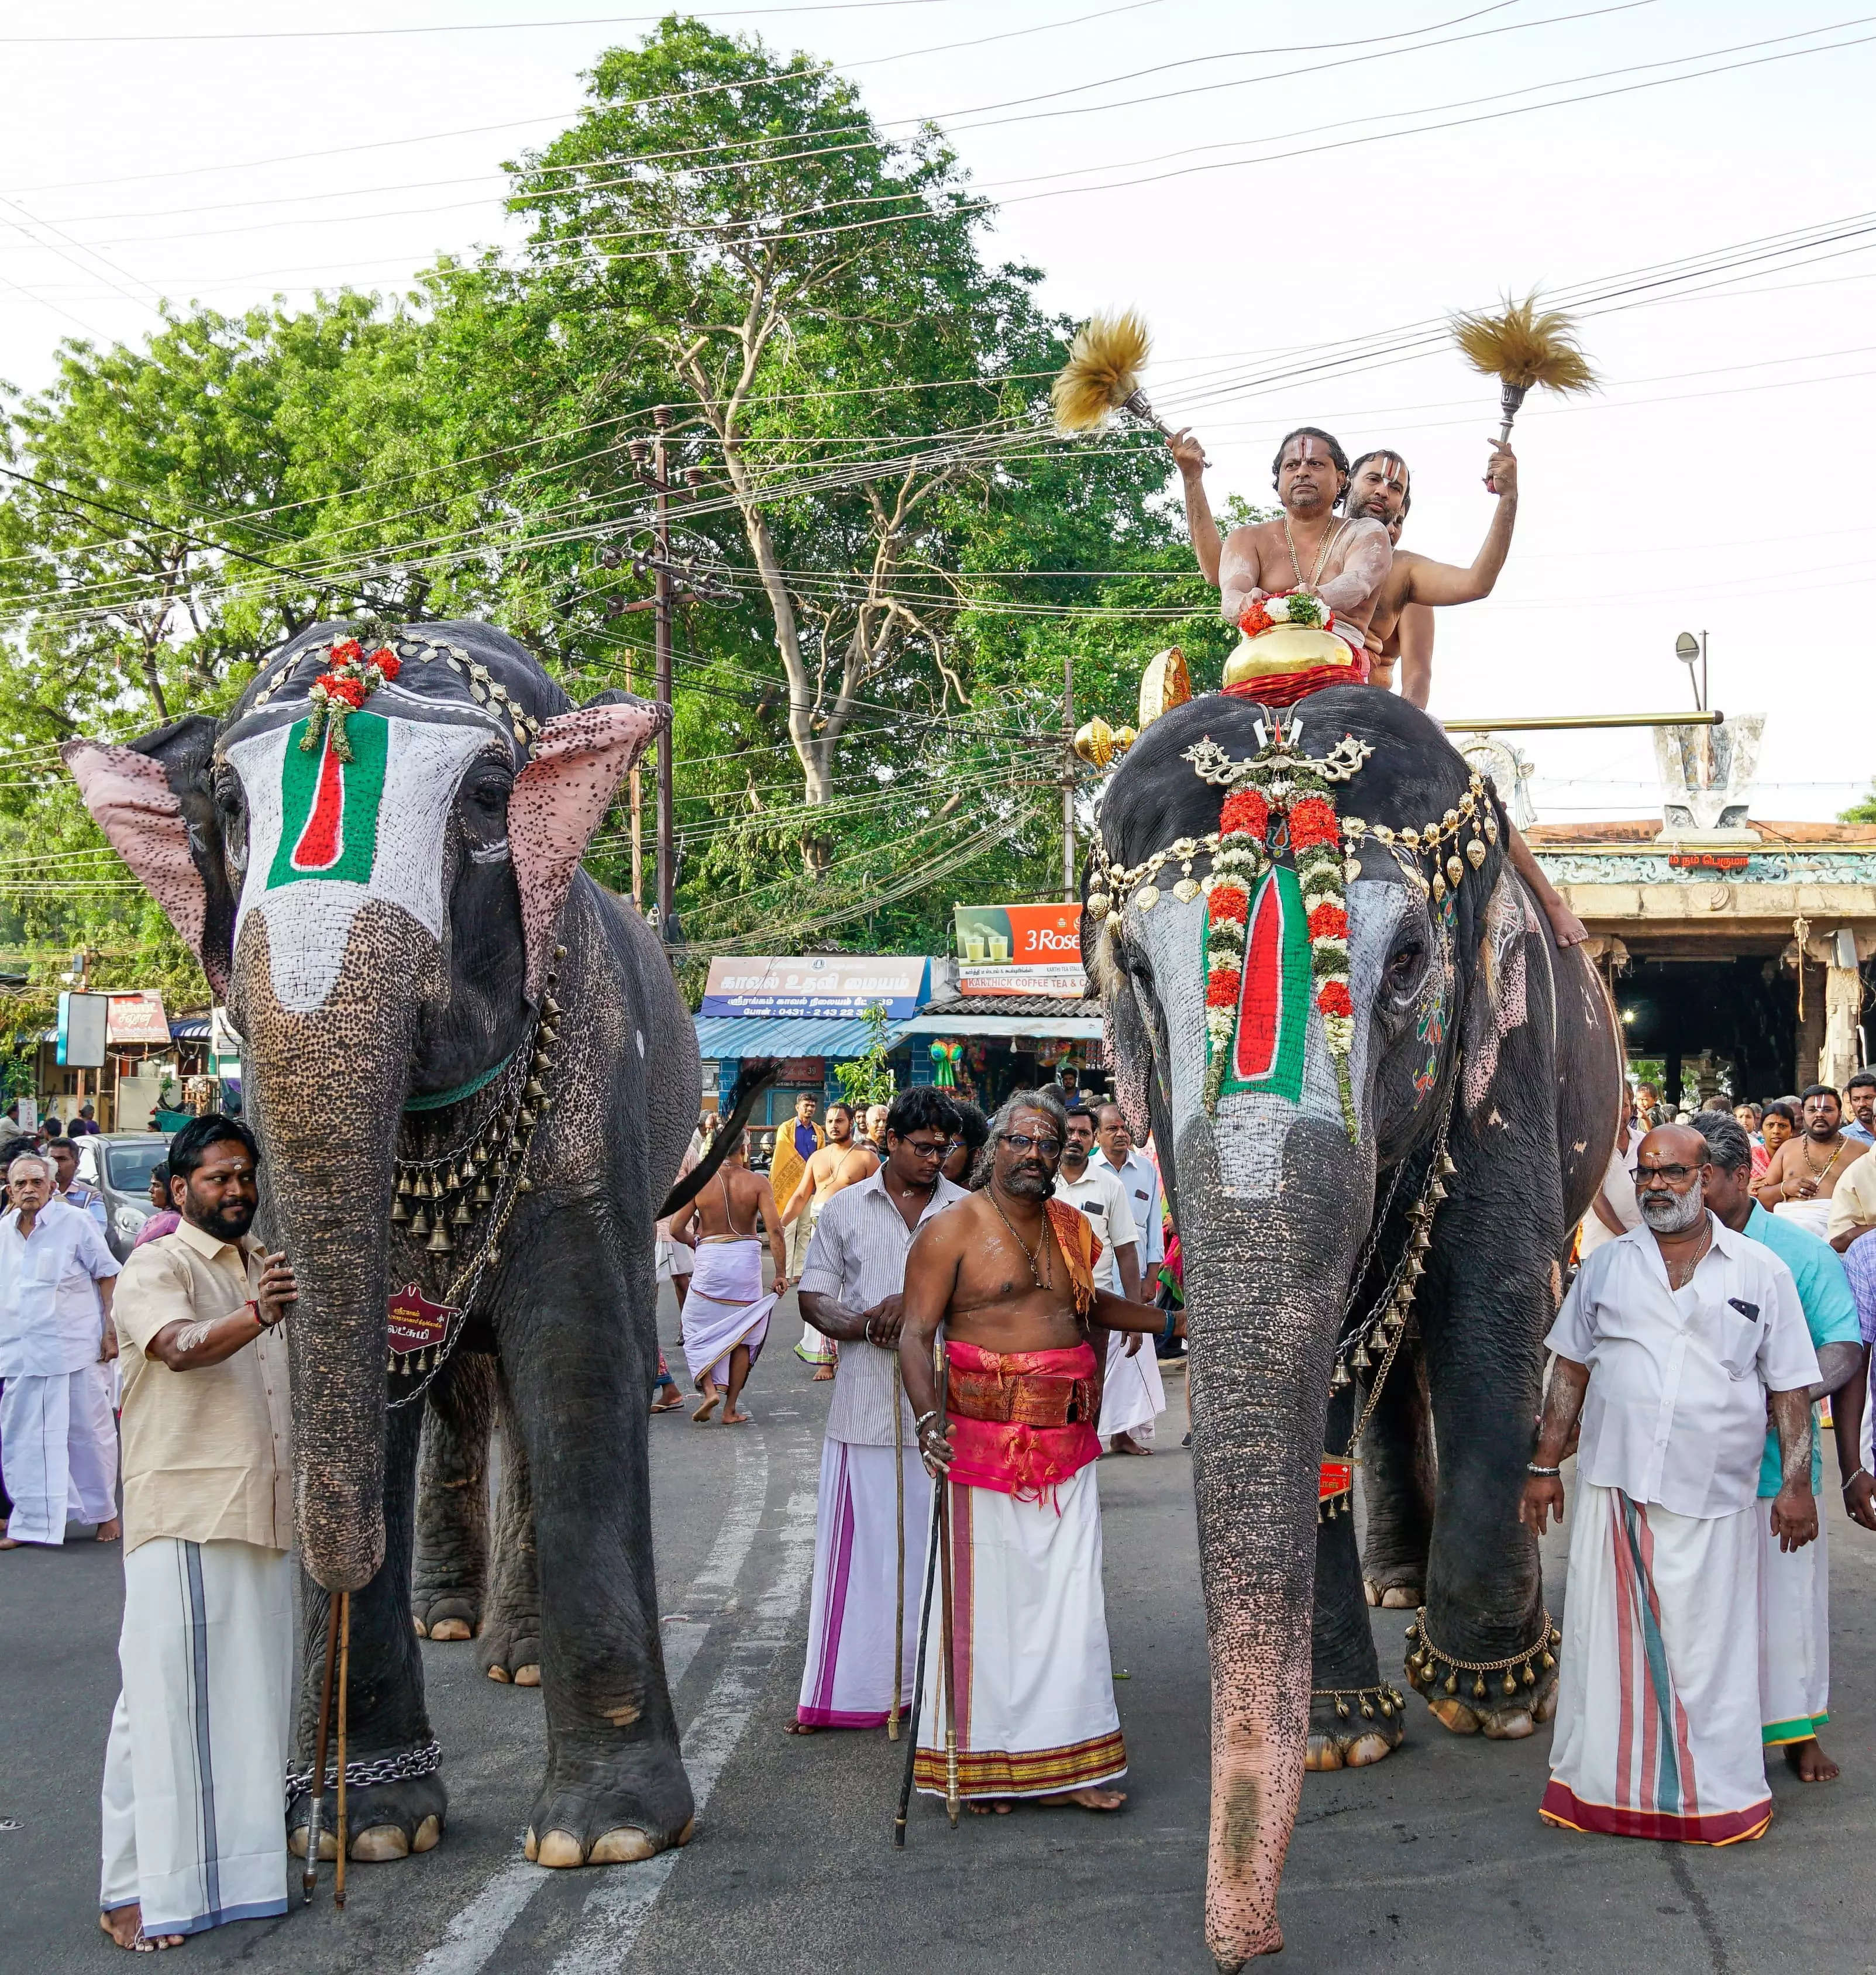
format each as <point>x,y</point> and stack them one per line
<point>475,1081</point>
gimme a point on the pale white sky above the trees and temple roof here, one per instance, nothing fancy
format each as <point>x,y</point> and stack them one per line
<point>1729,424</point>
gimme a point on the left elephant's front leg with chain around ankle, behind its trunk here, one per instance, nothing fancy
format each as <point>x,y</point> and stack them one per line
<point>386,1717</point>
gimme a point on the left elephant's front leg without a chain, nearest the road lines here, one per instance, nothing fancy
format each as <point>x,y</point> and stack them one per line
<point>578,1352</point>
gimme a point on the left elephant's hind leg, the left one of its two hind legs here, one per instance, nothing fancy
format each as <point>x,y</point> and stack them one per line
<point>451,1573</point>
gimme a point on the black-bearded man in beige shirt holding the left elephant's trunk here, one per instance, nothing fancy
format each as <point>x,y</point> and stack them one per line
<point>193,1808</point>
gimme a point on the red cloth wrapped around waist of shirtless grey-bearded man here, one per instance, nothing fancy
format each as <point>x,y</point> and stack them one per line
<point>994,1441</point>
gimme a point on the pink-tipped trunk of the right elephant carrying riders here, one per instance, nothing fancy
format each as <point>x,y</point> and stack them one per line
<point>1265,1283</point>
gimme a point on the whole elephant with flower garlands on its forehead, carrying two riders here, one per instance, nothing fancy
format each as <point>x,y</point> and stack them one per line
<point>1381,1099</point>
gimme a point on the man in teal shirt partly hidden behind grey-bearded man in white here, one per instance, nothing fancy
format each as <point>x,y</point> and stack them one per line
<point>1794,1585</point>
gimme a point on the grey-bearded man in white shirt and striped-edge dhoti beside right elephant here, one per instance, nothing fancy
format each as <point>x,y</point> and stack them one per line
<point>1672,1348</point>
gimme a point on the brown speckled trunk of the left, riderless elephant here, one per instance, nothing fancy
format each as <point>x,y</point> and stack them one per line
<point>327,1087</point>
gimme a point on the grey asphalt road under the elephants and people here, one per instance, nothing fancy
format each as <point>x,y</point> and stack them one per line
<point>1431,1861</point>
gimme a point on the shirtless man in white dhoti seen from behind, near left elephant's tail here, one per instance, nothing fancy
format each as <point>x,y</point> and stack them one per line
<point>726,1316</point>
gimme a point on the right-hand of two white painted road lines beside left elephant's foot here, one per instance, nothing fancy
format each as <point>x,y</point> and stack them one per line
<point>621,1905</point>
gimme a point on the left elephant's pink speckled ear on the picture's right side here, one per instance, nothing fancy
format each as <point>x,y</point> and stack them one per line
<point>562,797</point>
